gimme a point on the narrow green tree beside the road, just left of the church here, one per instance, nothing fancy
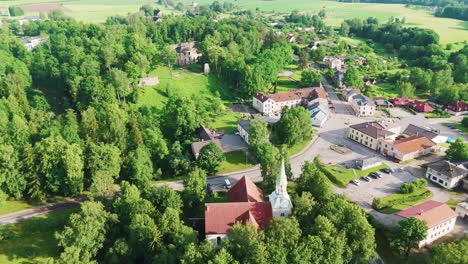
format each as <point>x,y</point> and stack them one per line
<point>195,189</point>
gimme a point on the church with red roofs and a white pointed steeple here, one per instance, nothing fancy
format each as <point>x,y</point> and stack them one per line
<point>246,204</point>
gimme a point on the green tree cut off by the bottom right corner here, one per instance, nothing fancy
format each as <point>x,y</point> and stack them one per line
<point>455,252</point>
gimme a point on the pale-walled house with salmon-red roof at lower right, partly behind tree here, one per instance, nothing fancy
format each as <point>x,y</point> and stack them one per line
<point>439,218</point>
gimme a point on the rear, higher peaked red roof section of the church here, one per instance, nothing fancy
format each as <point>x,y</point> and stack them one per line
<point>245,191</point>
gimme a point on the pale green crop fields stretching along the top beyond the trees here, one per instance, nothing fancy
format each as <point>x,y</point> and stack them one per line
<point>450,30</point>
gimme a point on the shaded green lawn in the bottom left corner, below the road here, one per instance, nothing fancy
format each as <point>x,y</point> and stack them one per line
<point>32,241</point>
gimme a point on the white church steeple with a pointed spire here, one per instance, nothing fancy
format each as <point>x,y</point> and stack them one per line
<point>280,202</point>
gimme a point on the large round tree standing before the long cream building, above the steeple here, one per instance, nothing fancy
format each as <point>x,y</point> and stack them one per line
<point>294,126</point>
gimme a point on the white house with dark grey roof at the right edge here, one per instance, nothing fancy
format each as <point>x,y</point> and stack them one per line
<point>445,173</point>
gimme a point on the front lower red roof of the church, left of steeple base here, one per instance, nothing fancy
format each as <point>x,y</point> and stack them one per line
<point>220,217</point>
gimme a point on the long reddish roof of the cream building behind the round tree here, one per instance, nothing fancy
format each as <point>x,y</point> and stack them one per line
<point>304,93</point>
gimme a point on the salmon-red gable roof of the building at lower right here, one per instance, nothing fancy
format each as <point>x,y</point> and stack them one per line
<point>431,212</point>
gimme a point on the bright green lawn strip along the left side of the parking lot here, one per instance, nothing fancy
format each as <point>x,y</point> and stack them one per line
<point>343,176</point>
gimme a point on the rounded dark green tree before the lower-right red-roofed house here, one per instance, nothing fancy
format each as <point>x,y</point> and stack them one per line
<point>408,233</point>
